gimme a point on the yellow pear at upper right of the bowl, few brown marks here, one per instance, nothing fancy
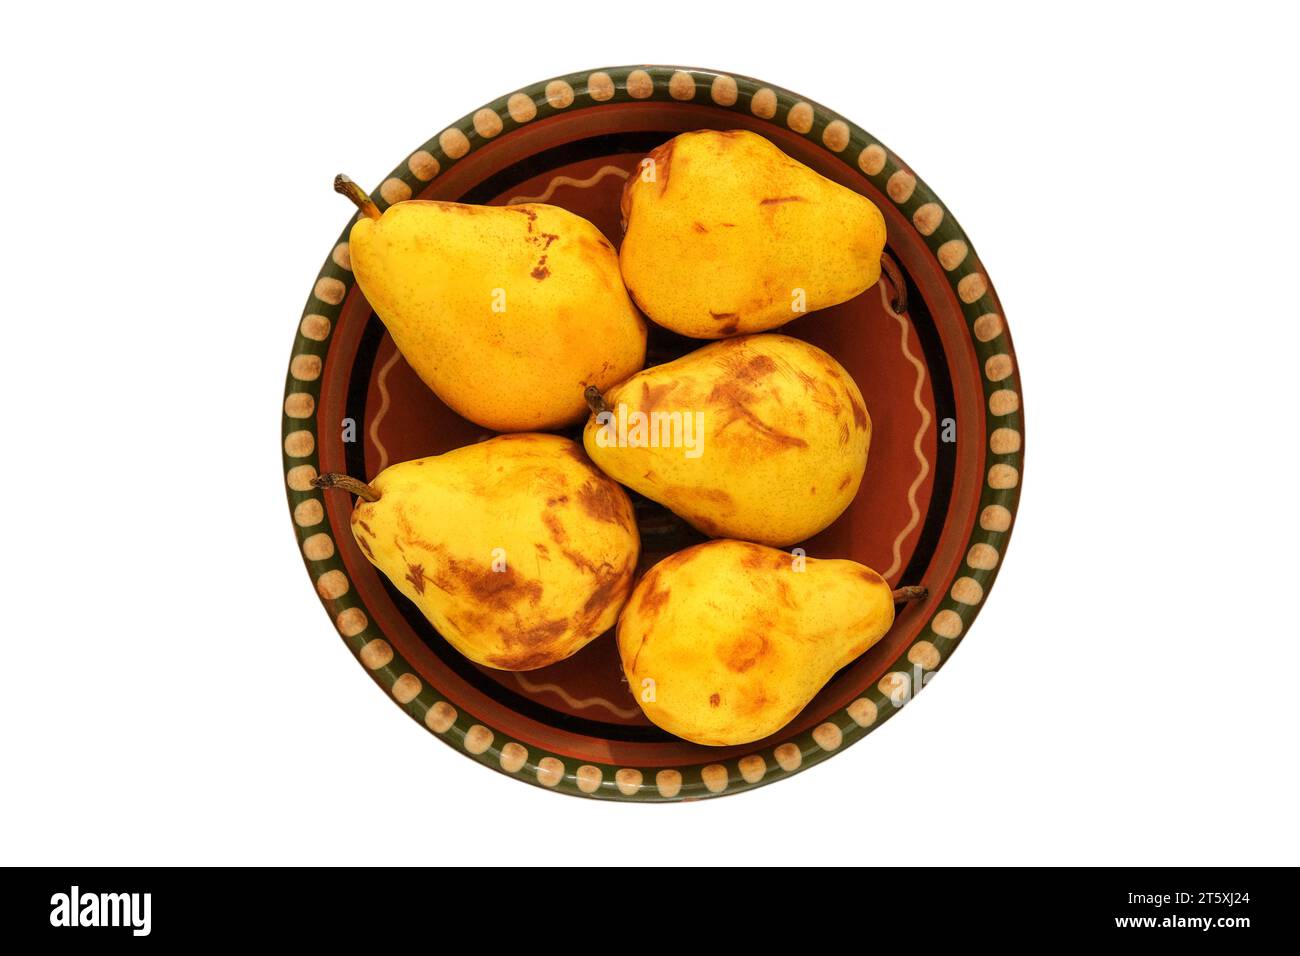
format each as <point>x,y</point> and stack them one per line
<point>726,235</point>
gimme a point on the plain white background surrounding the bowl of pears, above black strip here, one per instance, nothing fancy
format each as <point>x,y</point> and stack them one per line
<point>171,690</point>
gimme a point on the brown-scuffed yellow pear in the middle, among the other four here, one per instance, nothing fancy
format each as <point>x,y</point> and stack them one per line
<point>760,438</point>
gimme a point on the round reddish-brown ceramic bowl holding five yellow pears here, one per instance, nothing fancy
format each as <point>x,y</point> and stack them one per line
<point>937,505</point>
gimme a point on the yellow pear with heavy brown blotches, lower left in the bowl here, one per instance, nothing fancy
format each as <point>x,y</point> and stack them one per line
<point>517,550</point>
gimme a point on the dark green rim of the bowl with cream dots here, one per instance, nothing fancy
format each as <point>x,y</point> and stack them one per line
<point>987,540</point>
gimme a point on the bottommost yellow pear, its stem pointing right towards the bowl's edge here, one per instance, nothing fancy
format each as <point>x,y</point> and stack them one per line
<point>727,642</point>
